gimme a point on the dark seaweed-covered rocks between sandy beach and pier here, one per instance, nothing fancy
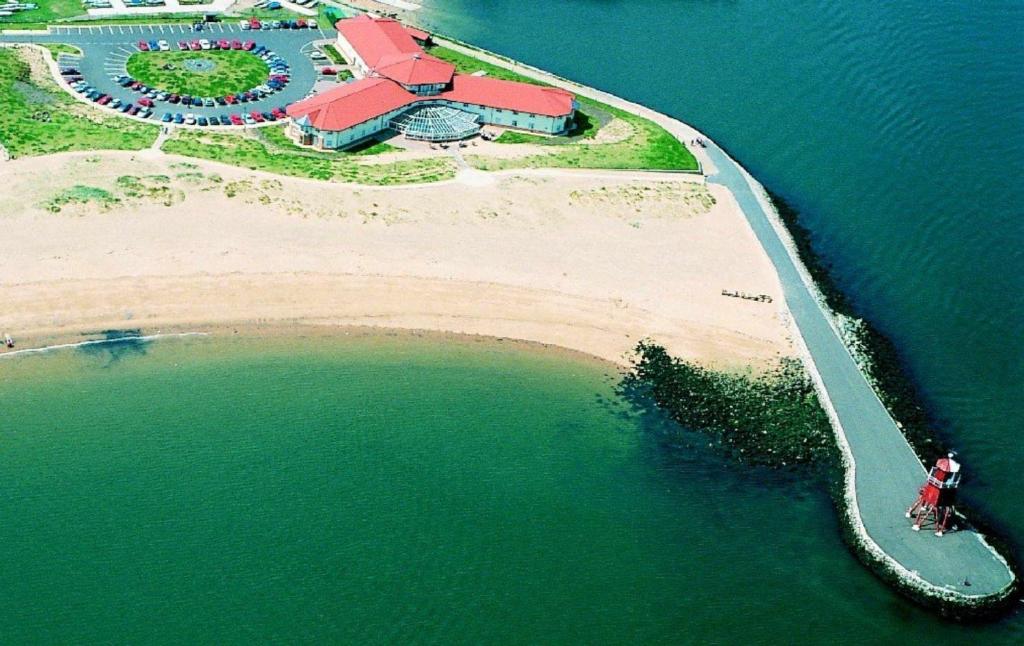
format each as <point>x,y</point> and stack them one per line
<point>774,419</point>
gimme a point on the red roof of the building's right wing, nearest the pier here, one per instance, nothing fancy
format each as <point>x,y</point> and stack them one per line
<point>524,98</point>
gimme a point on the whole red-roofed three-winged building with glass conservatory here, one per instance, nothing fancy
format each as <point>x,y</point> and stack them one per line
<point>405,89</point>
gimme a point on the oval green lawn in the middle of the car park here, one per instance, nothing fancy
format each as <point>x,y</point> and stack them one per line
<point>234,72</point>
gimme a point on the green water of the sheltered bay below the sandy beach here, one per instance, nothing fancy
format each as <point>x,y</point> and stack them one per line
<point>391,491</point>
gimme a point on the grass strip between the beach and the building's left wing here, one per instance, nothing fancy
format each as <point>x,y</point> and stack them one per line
<point>342,167</point>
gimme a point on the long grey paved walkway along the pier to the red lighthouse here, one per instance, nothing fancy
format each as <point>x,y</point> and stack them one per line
<point>887,472</point>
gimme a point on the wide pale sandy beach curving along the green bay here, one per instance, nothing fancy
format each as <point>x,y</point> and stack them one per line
<point>587,262</point>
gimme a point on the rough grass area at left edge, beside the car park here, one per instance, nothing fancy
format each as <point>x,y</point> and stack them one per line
<point>38,118</point>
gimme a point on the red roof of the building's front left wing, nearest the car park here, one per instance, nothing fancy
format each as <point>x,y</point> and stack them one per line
<point>352,104</point>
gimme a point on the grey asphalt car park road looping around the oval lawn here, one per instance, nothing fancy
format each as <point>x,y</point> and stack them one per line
<point>107,49</point>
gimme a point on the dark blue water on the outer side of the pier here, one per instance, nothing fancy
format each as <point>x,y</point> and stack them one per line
<point>898,131</point>
